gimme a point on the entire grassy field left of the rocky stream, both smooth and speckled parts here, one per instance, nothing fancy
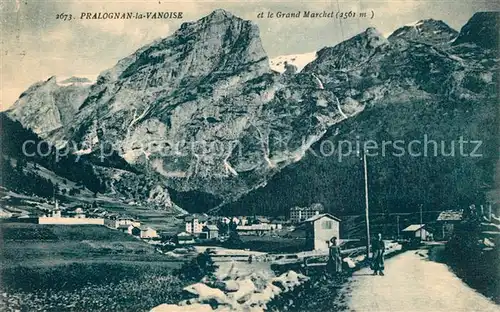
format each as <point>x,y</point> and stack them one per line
<point>81,268</point>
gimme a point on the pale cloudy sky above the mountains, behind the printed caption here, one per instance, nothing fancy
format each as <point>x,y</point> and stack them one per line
<point>35,45</point>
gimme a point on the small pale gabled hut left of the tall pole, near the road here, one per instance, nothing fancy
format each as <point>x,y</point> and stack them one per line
<point>320,229</point>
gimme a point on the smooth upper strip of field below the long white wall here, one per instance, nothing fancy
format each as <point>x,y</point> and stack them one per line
<point>33,244</point>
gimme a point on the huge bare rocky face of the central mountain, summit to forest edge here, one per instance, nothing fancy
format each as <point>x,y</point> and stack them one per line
<point>203,109</point>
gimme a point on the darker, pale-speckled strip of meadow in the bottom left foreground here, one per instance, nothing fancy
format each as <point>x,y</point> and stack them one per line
<point>88,287</point>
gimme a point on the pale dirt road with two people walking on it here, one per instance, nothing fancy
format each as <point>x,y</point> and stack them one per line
<point>414,283</point>
